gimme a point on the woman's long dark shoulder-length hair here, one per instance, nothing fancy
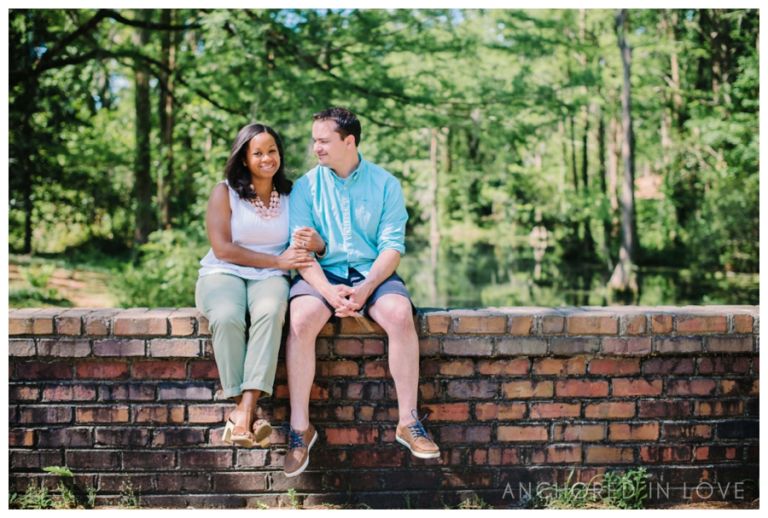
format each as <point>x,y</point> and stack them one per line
<point>237,174</point>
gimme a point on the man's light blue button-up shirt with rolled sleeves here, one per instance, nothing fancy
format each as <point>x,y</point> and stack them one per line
<point>358,217</point>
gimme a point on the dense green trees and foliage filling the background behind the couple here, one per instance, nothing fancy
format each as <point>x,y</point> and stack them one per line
<point>489,115</point>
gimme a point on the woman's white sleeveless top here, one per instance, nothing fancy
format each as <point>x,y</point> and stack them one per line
<point>251,231</point>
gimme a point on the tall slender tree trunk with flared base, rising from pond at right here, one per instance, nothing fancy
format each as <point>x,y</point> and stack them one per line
<point>623,278</point>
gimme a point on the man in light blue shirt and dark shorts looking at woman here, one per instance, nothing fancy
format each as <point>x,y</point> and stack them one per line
<point>358,210</point>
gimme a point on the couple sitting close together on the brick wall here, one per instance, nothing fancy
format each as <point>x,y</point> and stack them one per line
<point>342,228</point>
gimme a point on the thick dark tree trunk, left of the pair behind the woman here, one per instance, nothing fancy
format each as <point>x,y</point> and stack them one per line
<point>142,164</point>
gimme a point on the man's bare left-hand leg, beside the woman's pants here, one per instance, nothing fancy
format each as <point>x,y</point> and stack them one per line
<point>308,316</point>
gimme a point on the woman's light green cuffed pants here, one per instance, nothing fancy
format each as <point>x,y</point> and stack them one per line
<point>224,299</point>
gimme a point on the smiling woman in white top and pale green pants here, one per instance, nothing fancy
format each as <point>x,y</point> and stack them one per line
<point>246,271</point>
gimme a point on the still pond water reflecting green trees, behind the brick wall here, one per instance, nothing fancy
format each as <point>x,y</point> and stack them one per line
<point>484,274</point>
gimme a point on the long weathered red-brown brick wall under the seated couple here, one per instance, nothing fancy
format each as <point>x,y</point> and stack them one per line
<point>518,396</point>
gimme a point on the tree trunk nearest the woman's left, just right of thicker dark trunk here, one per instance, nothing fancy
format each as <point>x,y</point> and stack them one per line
<point>167,119</point>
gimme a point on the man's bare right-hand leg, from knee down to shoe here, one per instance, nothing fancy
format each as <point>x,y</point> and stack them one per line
<point>393,313</point>
